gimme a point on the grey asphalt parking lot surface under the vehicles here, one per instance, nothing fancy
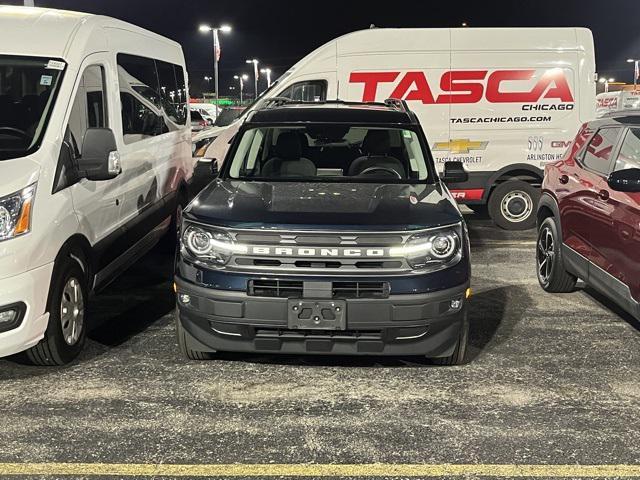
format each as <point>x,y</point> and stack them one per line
<point>551,380</point>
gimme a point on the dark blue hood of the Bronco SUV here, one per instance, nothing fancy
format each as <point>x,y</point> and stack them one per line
<point>309,205</point>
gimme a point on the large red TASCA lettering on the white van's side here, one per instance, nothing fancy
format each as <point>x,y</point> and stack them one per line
<point>467,86</point>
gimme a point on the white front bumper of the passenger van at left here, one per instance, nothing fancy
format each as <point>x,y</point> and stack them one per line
<point>29,290</point>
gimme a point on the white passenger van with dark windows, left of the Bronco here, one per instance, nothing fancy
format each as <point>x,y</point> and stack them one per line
<point>95,160</point>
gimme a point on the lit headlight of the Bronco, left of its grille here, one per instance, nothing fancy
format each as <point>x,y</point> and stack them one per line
<point>210,245</point>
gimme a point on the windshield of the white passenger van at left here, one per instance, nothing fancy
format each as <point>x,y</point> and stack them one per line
<point>27,91</point>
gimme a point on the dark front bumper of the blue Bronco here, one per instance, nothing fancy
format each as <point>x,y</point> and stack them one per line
<point>415,324</point>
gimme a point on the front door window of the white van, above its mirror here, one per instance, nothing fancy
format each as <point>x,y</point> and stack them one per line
<point>89,107</point>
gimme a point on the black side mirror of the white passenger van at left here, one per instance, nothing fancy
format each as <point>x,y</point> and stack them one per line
<point>100,159</point>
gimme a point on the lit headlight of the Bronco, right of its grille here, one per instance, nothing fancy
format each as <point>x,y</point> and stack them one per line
<point>432,250</point>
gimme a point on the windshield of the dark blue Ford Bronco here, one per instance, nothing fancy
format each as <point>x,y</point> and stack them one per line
<point>330,152</point>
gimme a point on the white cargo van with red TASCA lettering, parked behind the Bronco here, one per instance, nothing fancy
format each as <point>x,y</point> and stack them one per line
<point>504,101</point>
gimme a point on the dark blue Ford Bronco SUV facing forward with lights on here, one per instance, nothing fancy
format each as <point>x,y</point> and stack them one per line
<point>328,231</point>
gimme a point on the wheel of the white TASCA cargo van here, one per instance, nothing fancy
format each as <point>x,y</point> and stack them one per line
<point>513,204</point>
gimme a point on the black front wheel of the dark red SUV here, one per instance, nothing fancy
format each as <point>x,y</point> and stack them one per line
<point>552,275</point>
